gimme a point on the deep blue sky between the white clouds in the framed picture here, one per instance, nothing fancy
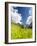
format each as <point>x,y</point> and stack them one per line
<point>25,12</point>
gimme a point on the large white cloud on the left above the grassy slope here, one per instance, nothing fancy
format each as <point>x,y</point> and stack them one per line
<point>16,17</point>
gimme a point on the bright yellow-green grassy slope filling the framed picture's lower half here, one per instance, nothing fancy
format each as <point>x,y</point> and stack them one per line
<point>17,32</point>
